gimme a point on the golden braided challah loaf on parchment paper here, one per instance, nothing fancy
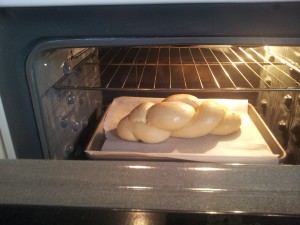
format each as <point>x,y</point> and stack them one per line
<point>180,115</point>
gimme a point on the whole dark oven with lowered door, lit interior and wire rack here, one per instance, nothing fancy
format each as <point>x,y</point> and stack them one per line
<point>64,66</point>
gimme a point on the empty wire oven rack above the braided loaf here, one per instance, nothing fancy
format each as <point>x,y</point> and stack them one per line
<point>183,69</point>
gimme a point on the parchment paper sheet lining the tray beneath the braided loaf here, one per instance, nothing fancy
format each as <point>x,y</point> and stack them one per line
<point>244,146</point>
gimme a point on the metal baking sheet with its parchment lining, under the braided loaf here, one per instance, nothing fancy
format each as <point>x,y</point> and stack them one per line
<point>101,148</point>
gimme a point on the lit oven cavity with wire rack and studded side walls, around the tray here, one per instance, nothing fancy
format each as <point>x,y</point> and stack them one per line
<point>71,87</point>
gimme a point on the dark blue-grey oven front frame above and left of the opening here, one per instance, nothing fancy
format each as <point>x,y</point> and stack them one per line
<point>22,29</point>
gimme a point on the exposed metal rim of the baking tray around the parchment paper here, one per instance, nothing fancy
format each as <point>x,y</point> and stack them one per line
<point>94,148</point>
